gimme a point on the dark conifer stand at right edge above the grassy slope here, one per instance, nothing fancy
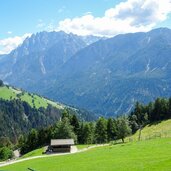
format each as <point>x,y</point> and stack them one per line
<point>155,111</point>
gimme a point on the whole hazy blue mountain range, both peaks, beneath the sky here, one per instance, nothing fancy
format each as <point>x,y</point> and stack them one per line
<point>106,77</point>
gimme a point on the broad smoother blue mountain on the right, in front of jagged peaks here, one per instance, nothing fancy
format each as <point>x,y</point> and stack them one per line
<point>110,75</point>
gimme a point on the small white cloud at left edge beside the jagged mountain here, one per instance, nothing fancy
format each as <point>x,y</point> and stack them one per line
<point>8,44</point>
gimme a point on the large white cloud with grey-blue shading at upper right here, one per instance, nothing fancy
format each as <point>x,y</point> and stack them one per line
<point>129,16</point>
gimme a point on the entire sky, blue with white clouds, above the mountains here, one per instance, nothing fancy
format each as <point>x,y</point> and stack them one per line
<point>20,18</point>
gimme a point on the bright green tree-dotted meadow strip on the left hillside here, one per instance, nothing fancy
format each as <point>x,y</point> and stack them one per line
<point>11,93</point>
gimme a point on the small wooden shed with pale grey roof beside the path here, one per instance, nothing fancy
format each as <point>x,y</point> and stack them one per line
<point>61,145</point>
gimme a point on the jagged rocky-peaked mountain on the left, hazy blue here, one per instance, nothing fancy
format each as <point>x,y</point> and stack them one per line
<point>40,56</point>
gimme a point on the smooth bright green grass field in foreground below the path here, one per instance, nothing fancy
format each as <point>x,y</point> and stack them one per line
<point>147,155</point>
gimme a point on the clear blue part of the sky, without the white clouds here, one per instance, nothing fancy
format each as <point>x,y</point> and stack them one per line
<point>23,16</point>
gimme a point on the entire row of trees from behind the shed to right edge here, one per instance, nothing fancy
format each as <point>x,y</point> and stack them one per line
<point>100,131</point>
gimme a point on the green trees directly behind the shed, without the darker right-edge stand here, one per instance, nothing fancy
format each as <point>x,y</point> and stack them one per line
<point>101,131</point>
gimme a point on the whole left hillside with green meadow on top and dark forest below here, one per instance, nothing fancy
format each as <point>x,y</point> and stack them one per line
<point>21,111</point>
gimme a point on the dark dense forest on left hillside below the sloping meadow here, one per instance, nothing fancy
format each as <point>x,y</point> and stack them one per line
<point>18,117</point>
